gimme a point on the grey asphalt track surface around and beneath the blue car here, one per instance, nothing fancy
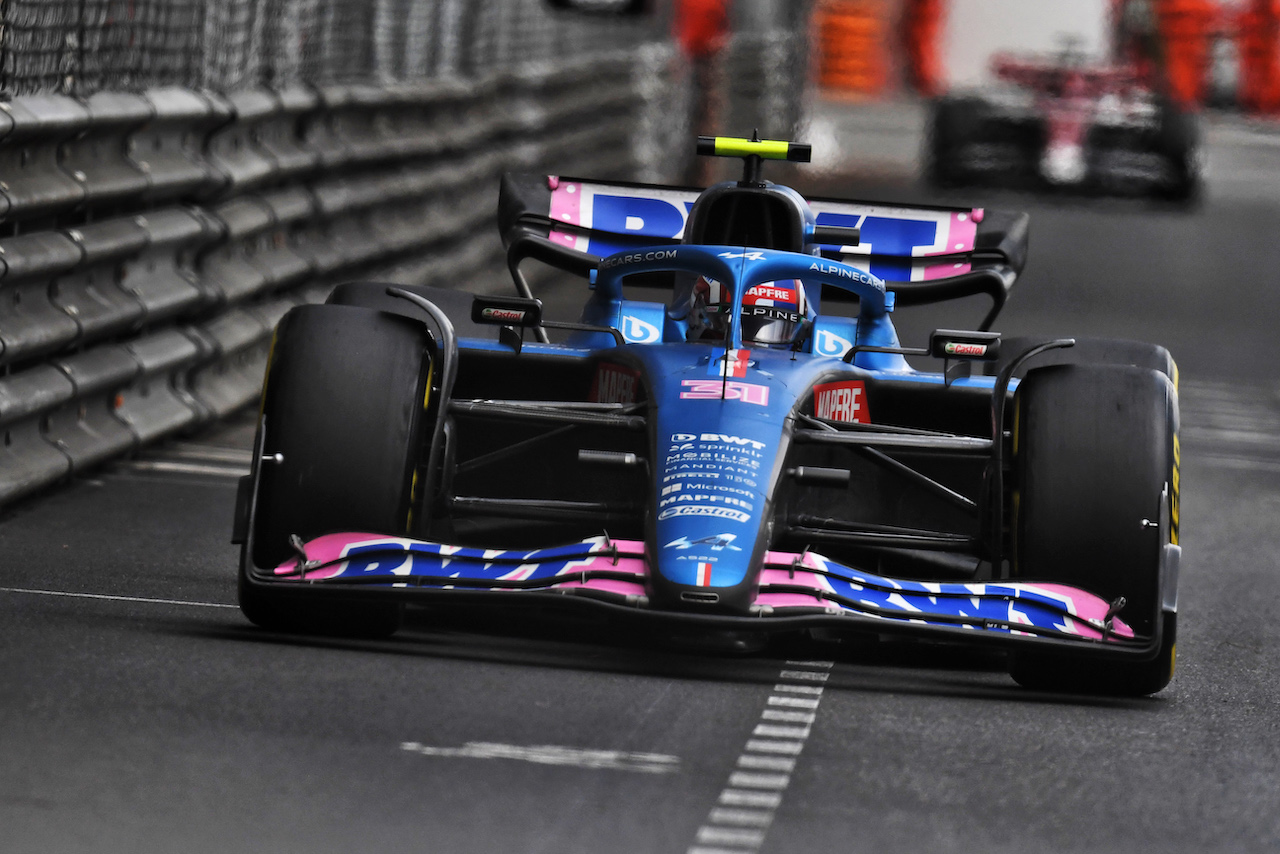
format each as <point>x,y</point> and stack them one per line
<point>140,713</point>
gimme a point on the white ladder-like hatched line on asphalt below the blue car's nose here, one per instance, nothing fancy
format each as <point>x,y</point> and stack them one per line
<point>746,809</point>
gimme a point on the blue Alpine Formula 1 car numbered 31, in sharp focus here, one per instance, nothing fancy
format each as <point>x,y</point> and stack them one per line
<point>729,440</point>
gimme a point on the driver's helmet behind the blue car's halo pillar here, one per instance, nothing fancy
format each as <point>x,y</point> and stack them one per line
<point>772,312</point>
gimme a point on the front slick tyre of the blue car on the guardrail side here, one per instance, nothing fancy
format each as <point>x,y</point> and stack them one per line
<point>345,408</point>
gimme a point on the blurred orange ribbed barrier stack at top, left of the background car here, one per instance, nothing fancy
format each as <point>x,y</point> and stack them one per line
<point>853,45</point>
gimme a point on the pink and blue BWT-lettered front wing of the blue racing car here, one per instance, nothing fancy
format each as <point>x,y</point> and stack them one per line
<point>797,591</point>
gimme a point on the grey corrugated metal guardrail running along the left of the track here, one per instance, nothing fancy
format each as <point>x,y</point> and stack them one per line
<point>150,243</point>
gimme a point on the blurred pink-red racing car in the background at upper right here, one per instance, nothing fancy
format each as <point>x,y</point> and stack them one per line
<point>1062,124</point>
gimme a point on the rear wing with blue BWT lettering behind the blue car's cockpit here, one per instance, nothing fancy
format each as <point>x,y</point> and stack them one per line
<point>925,254</point>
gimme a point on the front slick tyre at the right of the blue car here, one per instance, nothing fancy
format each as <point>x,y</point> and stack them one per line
<point>1095,456</point>
